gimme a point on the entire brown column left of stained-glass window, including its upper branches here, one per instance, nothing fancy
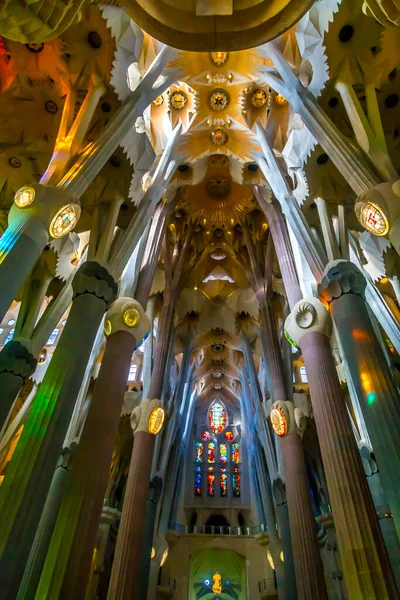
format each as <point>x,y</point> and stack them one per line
<point>125,581</point>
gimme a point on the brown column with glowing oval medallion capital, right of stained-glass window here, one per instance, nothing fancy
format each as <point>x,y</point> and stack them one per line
<point>289,424</point>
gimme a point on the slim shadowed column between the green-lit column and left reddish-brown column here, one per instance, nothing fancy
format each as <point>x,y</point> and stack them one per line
<point>47,523</point>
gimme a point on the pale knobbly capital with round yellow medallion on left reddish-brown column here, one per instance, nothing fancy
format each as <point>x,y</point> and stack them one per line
<point>127,314</point>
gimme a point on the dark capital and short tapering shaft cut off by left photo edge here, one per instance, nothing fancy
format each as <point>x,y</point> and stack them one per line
<point>17,364</point>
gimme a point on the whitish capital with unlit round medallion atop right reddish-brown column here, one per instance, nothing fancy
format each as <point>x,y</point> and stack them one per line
<point>308,315</point>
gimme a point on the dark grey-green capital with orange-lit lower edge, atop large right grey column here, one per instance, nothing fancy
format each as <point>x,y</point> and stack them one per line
<point>341,277</point>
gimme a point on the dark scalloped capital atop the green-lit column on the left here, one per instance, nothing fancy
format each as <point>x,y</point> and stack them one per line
<point>93,278</point>
